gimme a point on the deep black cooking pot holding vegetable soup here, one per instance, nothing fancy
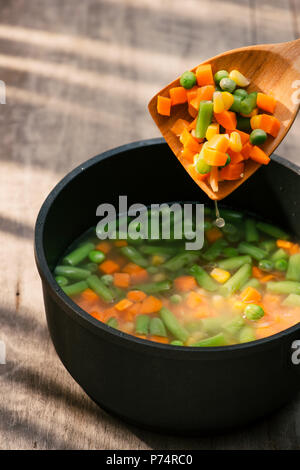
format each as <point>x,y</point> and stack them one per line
<point>167,388</point>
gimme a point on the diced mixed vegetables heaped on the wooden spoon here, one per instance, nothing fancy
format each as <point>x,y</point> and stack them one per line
<point>229,124</point>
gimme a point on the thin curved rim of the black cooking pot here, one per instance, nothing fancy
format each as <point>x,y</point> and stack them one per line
<point>115,335</point>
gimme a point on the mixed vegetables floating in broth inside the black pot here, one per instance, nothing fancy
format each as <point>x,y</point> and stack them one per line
<point>244,284</point>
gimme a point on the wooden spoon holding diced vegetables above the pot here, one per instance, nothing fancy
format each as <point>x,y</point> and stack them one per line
<point>272,68</point>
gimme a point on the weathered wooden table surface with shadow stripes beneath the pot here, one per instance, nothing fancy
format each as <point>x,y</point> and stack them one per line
<point>78,77</point>
